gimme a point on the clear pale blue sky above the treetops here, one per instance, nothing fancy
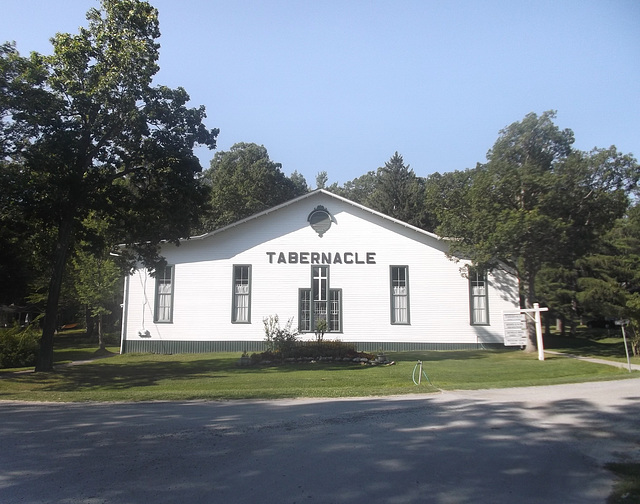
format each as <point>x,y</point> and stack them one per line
<point>340,85</point>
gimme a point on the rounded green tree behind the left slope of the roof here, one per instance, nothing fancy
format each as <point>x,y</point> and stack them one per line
<point>245,181</point>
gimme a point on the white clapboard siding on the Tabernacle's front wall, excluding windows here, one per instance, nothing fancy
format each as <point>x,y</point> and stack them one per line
<point>203,290</point>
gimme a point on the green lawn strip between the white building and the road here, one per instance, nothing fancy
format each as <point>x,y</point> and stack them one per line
<point>215,376</point>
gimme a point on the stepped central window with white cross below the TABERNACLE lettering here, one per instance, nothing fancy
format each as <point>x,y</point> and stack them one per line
<point>320,302</point>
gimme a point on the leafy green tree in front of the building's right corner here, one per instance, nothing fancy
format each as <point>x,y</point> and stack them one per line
<point>536,201</point>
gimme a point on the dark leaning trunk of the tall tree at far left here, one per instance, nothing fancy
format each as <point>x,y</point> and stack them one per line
<point>44,361</point>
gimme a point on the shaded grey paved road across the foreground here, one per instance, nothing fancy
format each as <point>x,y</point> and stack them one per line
<point>539,444</point>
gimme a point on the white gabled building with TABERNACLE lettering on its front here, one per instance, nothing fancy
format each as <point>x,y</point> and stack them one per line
<point>375,280</point>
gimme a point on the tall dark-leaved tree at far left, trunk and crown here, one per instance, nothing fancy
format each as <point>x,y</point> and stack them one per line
<point>90,133</point>
